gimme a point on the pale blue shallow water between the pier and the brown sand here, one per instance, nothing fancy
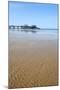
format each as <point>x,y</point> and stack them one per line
<point>38,34</point>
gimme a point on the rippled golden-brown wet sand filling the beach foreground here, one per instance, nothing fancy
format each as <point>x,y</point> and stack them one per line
<point>32,63</point>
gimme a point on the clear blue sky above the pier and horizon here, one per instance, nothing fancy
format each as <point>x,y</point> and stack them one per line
<point>42,15</point>
